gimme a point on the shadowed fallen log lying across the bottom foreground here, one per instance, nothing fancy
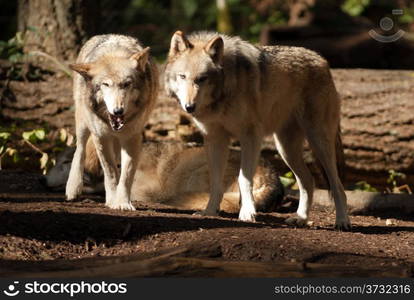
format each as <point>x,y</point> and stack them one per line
<point>192,261</point>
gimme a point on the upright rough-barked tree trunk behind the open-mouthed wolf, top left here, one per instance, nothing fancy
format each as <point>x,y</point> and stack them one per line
<point>57,27</point>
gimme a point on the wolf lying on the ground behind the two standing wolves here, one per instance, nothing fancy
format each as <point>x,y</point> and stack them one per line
<point>174,174</point>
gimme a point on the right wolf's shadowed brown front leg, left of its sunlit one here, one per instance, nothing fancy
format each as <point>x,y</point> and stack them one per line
<point>217,154</point>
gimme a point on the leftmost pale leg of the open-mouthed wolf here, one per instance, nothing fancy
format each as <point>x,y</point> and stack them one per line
<point>74,184</point>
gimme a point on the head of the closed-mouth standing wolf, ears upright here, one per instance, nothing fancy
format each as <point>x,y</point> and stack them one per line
<point>194,71</point>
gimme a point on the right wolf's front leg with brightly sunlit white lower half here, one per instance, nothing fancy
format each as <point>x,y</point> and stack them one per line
<point>250,152</point>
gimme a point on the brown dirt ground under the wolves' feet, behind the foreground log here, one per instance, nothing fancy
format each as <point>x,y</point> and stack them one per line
<point>39,225</point>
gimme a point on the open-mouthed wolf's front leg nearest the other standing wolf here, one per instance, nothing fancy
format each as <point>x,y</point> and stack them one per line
<point>130,152</point>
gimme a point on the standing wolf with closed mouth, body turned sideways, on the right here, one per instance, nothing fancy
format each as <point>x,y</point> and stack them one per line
<point>235,89</point>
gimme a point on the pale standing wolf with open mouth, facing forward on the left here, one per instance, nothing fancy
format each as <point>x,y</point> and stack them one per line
<point>115,88</point>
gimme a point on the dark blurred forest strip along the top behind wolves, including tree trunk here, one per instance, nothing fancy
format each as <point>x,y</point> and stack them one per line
<point>153,22</point>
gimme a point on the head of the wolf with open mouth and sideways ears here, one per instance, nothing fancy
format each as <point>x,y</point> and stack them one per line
<point>115,80</point>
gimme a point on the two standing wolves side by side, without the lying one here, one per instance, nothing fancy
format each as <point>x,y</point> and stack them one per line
<point>231,88</point>
